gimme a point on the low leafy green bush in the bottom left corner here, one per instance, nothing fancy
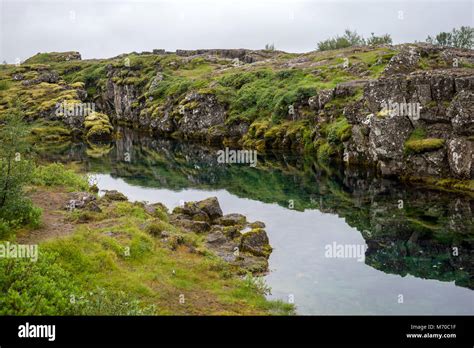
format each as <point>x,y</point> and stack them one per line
<point>45,288</point>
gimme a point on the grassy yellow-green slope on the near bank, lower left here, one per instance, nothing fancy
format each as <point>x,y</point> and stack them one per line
<point>111,253</point>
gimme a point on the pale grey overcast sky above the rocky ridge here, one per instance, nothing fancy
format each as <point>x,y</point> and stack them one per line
<point>106,28</point>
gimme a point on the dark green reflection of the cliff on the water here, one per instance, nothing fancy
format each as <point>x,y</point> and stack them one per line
<point>408,230</point>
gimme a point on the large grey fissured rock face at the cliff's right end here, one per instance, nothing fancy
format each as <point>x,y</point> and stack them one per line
<point>444,101</point>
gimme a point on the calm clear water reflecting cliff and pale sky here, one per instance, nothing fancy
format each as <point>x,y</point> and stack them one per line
<point>408,266</point>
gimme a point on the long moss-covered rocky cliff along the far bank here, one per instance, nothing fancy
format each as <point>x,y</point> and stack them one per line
<point>405,110</point>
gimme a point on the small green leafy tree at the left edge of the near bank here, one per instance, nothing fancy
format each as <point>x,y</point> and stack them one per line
<point>16,170</point>
